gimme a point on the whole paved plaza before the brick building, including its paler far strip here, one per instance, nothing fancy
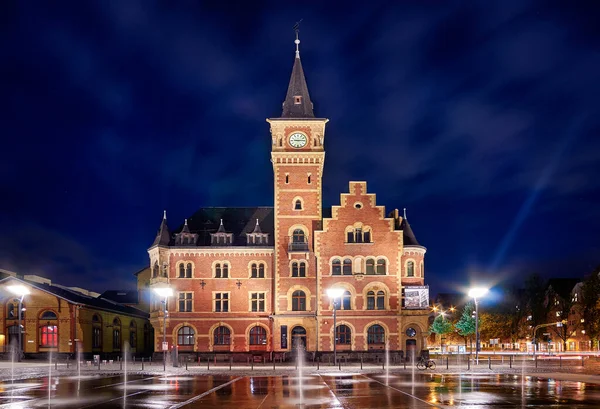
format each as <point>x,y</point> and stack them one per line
<point>34,384</point>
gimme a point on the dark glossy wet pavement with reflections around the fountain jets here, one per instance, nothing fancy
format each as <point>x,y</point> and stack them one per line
<point>344,390</point>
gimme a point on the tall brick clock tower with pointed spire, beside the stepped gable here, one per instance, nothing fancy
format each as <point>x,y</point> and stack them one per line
<point>298,156</point>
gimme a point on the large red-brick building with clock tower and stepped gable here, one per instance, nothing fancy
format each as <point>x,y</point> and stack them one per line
<point>255,279</point>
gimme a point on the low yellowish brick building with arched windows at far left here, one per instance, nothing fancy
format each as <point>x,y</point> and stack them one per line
<point>56,319</point>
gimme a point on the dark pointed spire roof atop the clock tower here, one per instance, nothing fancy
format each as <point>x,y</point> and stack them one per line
<point>297,102</point>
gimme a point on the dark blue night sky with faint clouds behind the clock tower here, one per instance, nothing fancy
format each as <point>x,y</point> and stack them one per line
<point>482,118</point>
